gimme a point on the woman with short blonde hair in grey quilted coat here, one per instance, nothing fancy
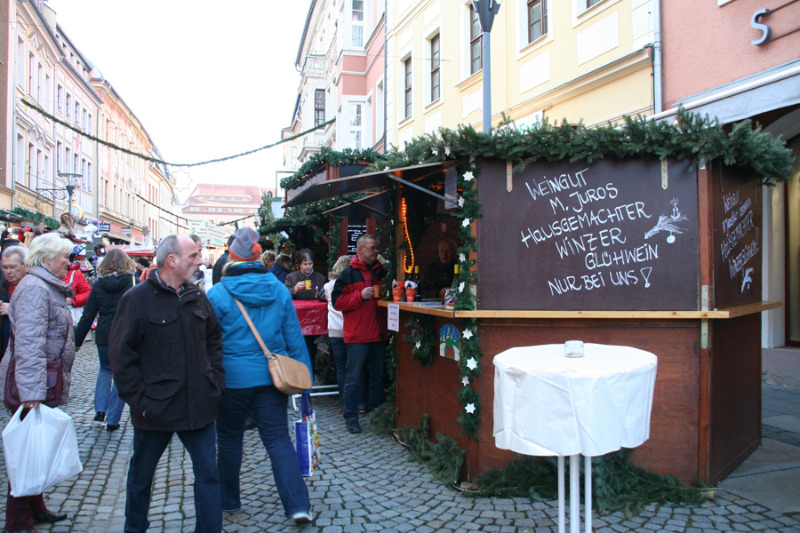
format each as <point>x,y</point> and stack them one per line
<point>41,331</point>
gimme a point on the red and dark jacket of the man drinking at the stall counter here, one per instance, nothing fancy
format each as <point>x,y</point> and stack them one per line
<point>362,318</point>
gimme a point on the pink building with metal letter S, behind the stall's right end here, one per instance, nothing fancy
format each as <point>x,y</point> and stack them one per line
<point>749,69</point>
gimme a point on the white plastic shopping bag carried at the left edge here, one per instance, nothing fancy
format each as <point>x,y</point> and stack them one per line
<point>40,451</point>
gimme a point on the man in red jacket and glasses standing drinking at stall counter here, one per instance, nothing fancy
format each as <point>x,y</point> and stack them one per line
<point>363,332</point>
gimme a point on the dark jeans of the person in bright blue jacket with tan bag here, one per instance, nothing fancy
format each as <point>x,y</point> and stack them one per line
<point>269,412</point>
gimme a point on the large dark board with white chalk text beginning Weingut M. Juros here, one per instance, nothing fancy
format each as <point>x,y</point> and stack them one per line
<point>610,235</point>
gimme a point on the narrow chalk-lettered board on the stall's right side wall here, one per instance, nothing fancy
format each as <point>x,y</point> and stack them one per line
<point>737,212</point>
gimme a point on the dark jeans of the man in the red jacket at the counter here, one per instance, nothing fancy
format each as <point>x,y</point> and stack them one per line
<point>358,355</point>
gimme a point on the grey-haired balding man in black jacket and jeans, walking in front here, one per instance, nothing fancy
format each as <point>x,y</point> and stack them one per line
<point>165,348</point>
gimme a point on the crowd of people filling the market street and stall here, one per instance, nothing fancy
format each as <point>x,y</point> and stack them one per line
<point>173,343</point>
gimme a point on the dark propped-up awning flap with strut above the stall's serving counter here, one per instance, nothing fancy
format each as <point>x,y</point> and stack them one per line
<point>379,181</point>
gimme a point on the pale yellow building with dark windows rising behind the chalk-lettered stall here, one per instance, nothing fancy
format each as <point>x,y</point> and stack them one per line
<point>579,60</point>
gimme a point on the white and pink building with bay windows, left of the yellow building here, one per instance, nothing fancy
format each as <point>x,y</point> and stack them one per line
<point>341,61</point>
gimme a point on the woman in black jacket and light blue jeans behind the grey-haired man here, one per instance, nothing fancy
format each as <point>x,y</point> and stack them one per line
<point>115,276</point>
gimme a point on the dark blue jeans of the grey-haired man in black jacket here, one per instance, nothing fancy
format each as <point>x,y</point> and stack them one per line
<point>148,446</point>
